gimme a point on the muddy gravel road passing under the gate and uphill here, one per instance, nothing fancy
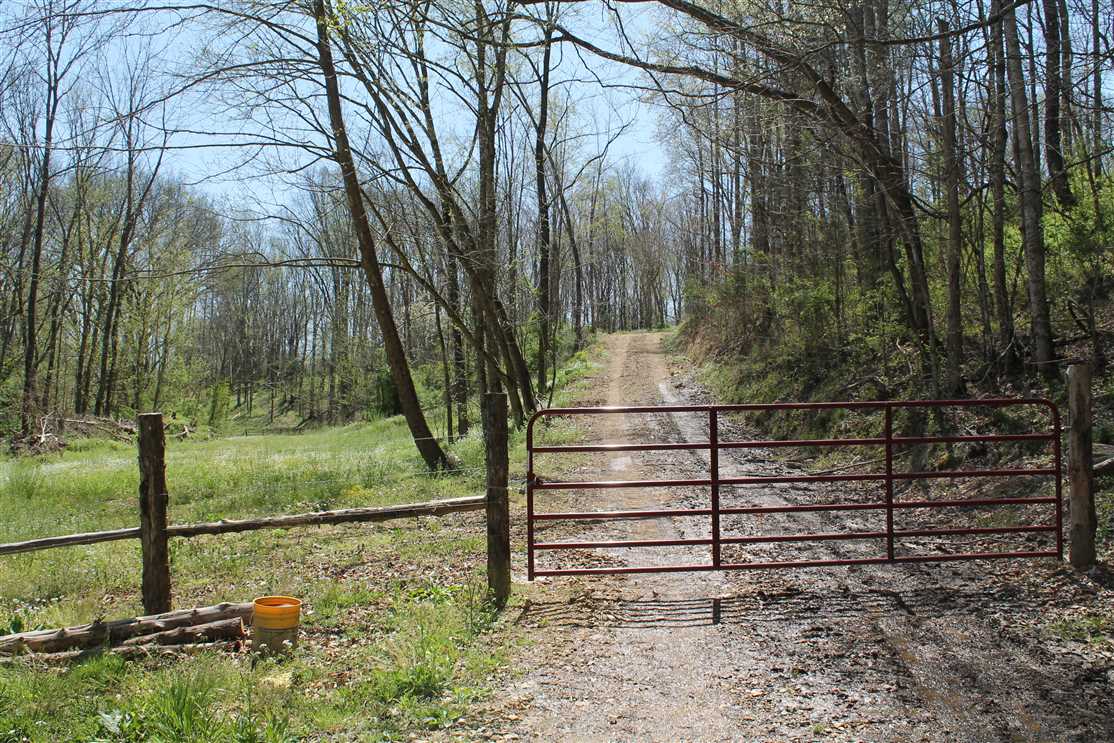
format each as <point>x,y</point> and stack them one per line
<point>943,652</point>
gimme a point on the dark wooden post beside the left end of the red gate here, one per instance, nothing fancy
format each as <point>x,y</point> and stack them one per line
<point>499,509</point>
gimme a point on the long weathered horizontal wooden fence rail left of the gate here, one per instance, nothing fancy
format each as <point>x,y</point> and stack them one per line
<point>317,519</point>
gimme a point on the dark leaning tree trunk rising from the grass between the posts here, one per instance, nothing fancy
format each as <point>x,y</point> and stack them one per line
<point>428,446</point>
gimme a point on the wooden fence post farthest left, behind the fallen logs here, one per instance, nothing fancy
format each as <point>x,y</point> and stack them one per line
<point>153,497</point>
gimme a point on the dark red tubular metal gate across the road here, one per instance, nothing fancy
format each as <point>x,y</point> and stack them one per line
<point>890,537</point>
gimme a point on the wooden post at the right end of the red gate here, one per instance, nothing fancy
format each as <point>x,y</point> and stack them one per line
<point>1082,516</point>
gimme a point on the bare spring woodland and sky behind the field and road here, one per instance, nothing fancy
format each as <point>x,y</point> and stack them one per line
<point>915,194</point>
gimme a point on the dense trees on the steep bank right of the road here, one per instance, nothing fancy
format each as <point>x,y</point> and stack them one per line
<point>856,178</point>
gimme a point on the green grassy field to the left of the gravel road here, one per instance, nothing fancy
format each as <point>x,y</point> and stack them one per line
<point>396,637</point>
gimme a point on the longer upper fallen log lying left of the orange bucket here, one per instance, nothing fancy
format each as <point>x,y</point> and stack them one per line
<point>118,632</point>
